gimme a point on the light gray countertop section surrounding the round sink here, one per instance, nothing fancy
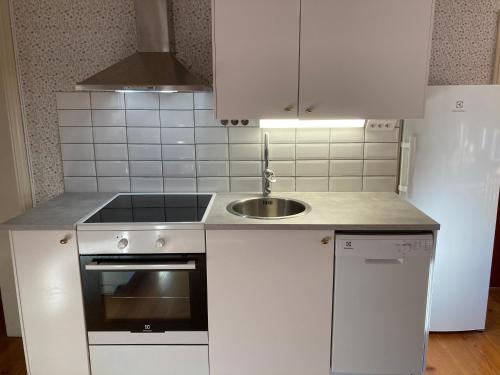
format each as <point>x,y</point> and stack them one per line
<point>339,211</point>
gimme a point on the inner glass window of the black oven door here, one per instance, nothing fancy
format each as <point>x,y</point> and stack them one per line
<point>144,295</point>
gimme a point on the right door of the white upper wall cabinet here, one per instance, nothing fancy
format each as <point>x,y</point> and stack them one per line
<point>364,58</point>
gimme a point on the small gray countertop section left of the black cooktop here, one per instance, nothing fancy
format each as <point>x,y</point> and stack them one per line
<point>62,212</point>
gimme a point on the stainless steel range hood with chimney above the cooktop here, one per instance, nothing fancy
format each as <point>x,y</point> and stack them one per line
<point>154,67</point>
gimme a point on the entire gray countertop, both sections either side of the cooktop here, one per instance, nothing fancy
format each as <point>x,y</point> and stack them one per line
<point>339,211</point>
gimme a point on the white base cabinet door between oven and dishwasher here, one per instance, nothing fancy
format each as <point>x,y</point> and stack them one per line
<point>269,302</point>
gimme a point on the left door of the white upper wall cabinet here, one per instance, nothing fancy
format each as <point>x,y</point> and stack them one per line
<point>256,58</point>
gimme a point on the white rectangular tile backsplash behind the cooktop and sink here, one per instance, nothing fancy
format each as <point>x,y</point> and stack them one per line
<point>153,142</point>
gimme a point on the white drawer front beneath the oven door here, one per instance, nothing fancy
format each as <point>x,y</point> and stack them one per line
<point>149,359</point>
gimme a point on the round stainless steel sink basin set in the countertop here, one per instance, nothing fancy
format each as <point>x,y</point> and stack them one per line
<point>268,208</point>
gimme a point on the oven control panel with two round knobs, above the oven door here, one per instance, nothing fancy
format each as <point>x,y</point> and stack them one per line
<point>175,241</point>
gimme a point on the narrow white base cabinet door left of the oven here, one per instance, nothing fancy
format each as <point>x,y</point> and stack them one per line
<point>50,298</point>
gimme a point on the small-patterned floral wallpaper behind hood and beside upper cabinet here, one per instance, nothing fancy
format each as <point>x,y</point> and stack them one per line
<point>60,42</point>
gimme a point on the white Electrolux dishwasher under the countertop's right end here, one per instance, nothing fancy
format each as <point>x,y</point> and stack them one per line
<point>380,323</point>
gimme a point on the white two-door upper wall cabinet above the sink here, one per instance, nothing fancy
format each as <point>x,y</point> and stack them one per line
<point>316,59</point>
